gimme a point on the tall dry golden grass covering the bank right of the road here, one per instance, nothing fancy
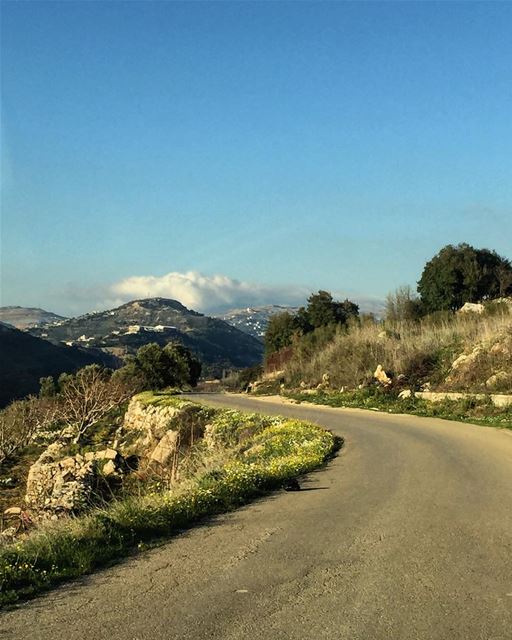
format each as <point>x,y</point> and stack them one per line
<point>421,351</point>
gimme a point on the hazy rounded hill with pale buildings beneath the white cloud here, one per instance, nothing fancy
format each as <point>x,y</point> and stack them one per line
<point>123,330</point>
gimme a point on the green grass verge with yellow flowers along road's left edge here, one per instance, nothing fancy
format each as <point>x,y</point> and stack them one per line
<point>258,454</point>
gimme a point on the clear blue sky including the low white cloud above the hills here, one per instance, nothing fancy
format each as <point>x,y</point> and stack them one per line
<point>248,152</point>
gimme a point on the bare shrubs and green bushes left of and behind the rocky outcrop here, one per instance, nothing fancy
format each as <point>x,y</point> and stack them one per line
<point>82,411</point>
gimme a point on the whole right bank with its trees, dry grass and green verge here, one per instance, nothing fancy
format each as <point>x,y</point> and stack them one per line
<point>454,335</point>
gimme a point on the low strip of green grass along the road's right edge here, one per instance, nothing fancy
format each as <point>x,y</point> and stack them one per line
<point>468,409</point>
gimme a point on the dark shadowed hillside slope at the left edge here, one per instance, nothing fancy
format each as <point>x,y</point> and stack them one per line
<point>25,359</point>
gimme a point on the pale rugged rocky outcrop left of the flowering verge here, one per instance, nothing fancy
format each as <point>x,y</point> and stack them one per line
<point>61,484</point>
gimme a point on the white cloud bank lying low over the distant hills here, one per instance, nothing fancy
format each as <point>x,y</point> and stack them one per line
<point>204,293</point>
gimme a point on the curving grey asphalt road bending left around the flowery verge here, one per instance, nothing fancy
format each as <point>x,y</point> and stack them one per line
<point>407,534</point>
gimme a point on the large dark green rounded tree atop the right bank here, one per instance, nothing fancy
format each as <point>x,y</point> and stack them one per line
<point>461,273</point>
